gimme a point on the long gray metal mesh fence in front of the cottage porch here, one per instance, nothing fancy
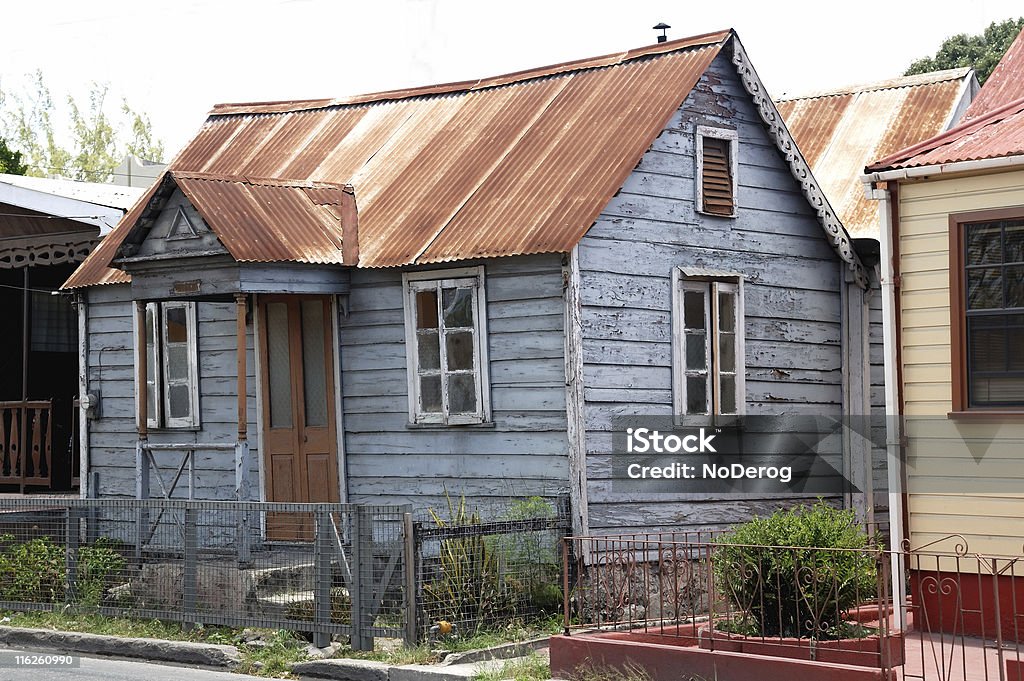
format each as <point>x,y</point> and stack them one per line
<point>325,569</point>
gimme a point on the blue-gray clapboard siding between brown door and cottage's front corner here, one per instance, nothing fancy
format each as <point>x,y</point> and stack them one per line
<point>526,451</point>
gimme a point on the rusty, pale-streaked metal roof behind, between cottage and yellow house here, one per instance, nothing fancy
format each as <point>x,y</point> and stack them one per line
<point>840,132</point>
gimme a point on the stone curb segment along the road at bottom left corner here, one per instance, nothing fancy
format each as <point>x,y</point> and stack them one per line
<point>179,653</point>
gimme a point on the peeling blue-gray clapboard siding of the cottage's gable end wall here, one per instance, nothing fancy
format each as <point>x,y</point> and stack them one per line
<point>792,300</point>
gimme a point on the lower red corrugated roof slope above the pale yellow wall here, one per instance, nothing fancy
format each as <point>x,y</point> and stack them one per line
<point>999,134</point>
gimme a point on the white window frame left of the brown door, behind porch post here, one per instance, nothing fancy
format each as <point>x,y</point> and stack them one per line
<point>159,408</point>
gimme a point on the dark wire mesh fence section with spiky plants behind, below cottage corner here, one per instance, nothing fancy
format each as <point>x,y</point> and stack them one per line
<point>481,571</point>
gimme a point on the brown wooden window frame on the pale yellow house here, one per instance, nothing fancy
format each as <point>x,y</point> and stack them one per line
<point>962,408</point>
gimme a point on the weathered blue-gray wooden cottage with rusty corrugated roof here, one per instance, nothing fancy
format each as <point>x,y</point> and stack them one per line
<point>459,288</point>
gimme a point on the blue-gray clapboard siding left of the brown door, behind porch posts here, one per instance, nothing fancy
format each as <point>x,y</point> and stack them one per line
<point>111,374</point>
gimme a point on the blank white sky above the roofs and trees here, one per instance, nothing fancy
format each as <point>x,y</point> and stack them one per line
<point>175,61</point>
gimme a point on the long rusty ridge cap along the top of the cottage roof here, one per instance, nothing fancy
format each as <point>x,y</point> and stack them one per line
<point>615,59</point>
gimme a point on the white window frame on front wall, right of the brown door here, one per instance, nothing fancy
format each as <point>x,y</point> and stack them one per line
<point>438,280</point>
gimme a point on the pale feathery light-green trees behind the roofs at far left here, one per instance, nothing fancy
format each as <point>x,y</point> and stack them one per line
<point>98,142</point>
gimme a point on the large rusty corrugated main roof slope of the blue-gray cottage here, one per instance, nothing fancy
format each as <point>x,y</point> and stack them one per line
<point>516,164</point>
